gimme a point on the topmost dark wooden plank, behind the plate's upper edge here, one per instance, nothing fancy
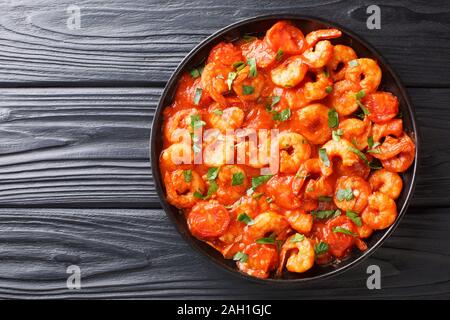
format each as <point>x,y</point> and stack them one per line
<point>141,42</point>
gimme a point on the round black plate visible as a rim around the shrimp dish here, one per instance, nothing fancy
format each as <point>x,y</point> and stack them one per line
<point>258,26</point>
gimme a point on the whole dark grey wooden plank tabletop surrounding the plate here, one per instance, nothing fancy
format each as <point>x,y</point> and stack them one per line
<point>76,107</point>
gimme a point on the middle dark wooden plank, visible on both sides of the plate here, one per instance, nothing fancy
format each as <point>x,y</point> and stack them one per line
<point>85,147</point>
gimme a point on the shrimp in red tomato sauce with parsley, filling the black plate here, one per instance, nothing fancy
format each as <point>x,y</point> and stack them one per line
<point>282,152</point>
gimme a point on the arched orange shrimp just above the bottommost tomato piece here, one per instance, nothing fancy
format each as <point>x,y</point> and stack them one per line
<point>266,224</point>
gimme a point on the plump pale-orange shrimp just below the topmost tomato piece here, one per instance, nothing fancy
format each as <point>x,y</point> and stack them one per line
<point>290,73</point>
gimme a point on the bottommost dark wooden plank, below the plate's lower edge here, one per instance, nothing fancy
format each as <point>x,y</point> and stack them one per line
<point>137,253</point>
